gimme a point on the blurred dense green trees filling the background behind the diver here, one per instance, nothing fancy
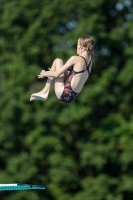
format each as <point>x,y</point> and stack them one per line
<point>78,151</point>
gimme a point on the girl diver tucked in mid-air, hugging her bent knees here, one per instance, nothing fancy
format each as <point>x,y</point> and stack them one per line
<point>68,85</point>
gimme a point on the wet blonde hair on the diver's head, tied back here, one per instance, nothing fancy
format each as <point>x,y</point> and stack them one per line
<point>88,43</point>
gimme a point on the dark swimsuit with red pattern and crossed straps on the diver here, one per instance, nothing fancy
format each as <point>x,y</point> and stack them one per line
<point>68,94</point>
